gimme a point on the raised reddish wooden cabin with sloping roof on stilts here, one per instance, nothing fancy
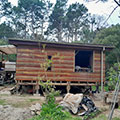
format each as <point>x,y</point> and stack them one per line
<point>69,64</point>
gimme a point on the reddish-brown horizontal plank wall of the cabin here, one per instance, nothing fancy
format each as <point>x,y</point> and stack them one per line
<point>30,62</point>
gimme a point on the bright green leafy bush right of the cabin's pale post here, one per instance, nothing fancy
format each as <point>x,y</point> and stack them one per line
<point>113,76</point>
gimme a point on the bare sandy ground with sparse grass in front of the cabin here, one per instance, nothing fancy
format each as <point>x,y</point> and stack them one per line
<point>16,107</point>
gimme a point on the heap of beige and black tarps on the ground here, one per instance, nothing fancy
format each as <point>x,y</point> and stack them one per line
<point>76,103</point>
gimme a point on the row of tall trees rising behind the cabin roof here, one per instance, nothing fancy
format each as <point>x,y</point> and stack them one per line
<point>69,23</point>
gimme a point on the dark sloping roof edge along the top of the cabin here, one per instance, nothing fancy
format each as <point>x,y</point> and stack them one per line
<point>17,42</point>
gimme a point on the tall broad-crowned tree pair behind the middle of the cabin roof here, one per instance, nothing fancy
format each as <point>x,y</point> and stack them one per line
<point>67,23</point>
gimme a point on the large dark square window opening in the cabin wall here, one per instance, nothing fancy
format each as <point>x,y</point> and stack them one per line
<point>83,61</point>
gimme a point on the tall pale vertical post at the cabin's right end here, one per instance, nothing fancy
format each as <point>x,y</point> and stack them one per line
<point>102,87</point>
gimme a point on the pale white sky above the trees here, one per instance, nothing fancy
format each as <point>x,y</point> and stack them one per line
<point>96,8</point>
